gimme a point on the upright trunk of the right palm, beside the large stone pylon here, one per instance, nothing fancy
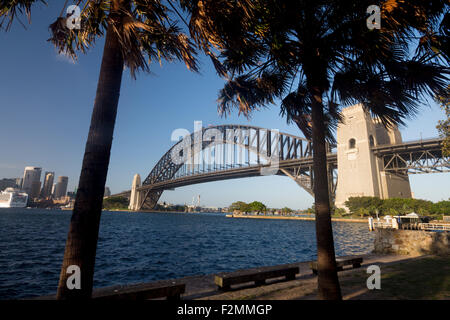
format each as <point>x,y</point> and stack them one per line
<point>328,282</point>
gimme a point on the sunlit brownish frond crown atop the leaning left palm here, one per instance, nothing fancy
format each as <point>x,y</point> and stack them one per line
<point>145,31</point>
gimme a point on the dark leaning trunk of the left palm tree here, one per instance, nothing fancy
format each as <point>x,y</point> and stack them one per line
<point>81,242</point>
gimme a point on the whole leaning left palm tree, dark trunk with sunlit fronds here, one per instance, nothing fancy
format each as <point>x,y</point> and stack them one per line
<point>134,29</point>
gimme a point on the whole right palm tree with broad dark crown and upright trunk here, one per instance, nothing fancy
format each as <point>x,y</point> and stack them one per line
<point>316,57</point>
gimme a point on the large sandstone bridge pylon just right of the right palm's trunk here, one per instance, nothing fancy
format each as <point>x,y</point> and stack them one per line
<point>359,170</point>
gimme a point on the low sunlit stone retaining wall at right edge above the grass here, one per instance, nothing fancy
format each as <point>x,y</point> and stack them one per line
<point>411,242</point>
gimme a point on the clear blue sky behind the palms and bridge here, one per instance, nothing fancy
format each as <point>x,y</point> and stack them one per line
<point>46,103</point>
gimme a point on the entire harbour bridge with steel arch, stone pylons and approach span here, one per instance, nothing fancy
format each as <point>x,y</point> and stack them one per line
<point>237,151</point>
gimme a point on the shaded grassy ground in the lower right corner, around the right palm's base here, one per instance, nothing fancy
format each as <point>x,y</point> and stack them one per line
<point>413,278</point>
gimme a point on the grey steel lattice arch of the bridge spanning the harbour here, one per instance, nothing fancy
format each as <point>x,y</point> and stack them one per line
<point>232,151</point>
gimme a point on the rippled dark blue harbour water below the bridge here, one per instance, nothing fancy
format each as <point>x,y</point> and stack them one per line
<point>144,247</point>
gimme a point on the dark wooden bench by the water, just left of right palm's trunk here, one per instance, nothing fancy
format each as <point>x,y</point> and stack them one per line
<point>258,276</point>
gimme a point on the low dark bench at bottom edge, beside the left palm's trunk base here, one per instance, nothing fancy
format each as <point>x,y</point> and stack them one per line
<point>141,291</point>
